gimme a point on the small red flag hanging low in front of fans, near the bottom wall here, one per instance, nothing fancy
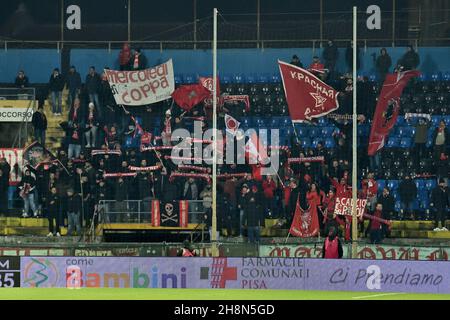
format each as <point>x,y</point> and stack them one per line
<point>306,222</point>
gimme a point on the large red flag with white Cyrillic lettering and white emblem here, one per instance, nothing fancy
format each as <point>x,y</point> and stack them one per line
<point>307,96</point>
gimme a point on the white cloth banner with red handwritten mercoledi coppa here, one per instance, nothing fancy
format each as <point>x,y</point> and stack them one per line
<point>141,87</point>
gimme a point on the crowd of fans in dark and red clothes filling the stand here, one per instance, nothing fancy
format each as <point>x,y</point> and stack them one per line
<point>95,122</point>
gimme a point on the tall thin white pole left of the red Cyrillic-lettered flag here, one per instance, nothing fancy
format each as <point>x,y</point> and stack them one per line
<point>214,171</point>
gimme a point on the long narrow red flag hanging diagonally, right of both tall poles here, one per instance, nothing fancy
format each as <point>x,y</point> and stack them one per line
<point>388,108</point>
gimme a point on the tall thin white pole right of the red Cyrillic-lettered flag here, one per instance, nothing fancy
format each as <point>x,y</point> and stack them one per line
<point>354,143</point>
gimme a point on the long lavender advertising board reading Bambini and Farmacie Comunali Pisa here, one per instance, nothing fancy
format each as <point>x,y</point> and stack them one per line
<point>243,273</point>
